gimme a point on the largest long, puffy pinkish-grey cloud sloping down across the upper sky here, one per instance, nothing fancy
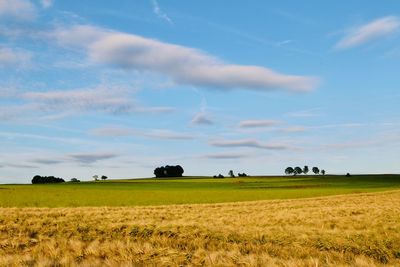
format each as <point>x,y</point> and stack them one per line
<point>184,65</point>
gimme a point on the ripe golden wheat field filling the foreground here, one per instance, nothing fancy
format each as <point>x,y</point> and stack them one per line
<point>356,230</point>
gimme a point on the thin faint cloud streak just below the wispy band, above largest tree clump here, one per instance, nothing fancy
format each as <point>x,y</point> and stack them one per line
<point>148,133</point>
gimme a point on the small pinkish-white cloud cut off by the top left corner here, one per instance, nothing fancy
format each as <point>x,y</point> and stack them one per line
<point>17,9</point>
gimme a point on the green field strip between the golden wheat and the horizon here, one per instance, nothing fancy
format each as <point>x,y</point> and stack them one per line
<point>189,190</point>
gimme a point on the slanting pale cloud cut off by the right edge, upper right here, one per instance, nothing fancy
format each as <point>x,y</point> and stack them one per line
<point>370,31</point>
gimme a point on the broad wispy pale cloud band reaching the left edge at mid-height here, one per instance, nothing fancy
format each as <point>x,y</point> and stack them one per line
<point>62,103</point>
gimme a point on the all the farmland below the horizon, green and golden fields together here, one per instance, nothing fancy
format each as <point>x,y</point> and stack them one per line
<point>252,221</point>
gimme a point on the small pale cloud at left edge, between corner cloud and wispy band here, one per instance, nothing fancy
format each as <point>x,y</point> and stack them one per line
<point>11,57</point>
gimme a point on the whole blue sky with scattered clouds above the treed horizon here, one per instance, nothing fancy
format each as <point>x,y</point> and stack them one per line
<point>119,88</point>
